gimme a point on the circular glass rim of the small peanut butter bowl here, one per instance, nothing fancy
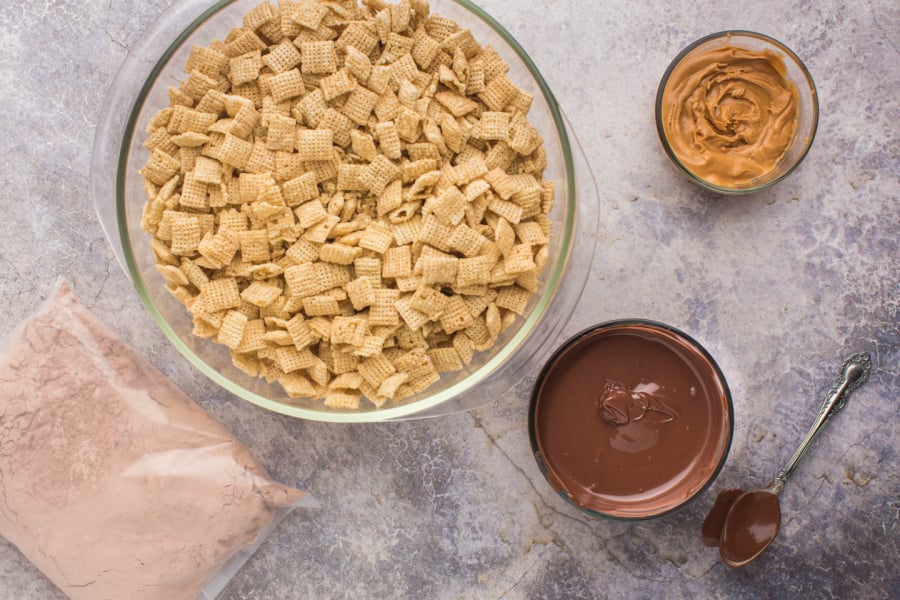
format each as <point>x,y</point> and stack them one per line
<point>660,130</point>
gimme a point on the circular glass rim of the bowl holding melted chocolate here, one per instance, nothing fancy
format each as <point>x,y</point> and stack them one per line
<point>537,452</point>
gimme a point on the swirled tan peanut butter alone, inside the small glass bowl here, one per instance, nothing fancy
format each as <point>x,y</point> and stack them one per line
<point>729,114</point>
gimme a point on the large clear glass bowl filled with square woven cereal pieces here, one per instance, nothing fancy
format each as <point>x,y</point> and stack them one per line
<point>345,211</point>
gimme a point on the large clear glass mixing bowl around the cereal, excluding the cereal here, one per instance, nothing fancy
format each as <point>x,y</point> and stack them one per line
<point>140,89</point>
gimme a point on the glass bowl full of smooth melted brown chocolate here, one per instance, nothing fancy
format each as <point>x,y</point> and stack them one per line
<point>630,420</point>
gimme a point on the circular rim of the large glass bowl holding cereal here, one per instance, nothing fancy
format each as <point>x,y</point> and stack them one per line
<point>403,410</point>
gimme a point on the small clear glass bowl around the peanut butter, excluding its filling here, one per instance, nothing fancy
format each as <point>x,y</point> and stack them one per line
<point>807,109</point>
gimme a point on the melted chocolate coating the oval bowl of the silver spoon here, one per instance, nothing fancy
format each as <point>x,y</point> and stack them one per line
<point>750,527</point>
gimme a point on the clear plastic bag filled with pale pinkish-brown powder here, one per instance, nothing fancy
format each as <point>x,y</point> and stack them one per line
<point>112,481</point>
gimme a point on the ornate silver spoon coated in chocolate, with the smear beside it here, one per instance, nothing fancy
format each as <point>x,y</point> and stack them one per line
<point>752,521</point>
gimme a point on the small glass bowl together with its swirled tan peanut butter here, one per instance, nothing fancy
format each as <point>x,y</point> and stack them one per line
<point>736,111</point>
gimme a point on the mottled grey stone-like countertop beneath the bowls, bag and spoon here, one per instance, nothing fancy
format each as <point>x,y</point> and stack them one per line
<point>780,287</point>
